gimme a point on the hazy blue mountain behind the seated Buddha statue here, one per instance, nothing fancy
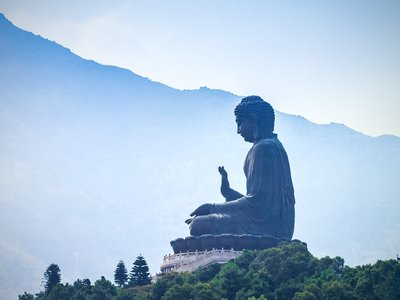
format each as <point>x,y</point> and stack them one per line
<point>99,164</point>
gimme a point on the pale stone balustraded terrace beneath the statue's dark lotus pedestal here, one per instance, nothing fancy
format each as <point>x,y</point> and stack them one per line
<point>191,261</point>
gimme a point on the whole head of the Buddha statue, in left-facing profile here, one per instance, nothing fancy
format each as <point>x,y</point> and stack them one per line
<point>255,118</point>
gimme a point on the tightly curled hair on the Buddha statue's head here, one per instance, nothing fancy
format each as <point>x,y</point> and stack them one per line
<point>263,110</point>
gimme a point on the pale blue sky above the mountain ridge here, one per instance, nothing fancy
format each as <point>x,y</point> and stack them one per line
<point>328,61</point>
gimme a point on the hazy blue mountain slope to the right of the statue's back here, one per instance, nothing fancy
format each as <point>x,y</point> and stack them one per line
<point>348,183</point>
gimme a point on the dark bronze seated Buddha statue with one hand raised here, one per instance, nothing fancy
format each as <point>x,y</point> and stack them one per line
<point>267,209</point>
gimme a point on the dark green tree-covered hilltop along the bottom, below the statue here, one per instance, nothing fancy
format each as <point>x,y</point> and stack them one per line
<point>288,271</point>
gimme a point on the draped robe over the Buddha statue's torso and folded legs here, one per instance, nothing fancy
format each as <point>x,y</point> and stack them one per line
<point>268,207</point>
